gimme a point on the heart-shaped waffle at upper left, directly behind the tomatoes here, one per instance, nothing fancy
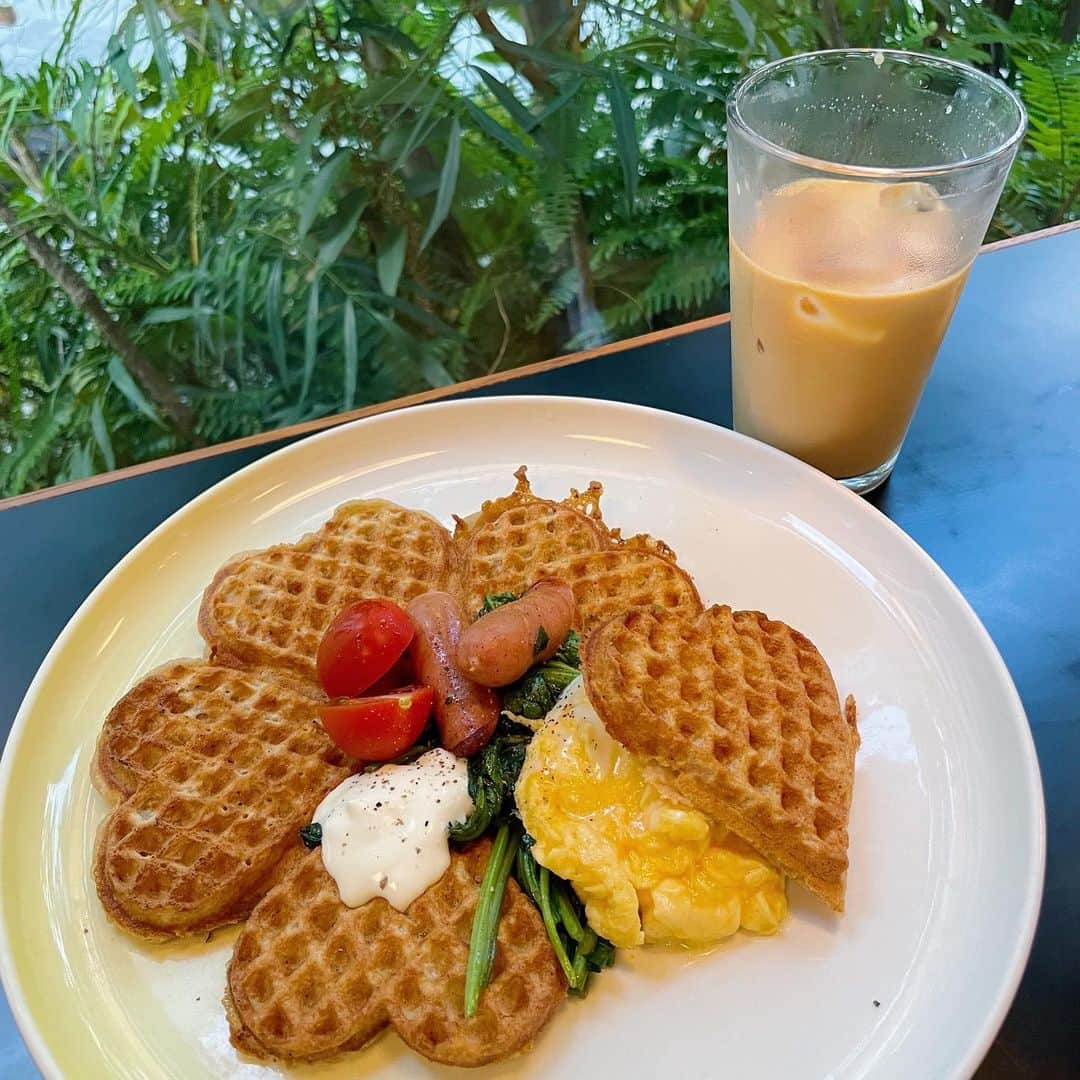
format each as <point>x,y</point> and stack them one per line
<point>271,609</point>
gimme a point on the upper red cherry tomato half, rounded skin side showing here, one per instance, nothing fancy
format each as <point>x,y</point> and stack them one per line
<point>361,645</point>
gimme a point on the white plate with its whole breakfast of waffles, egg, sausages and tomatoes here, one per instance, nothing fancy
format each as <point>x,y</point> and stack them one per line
<point>525,735</point>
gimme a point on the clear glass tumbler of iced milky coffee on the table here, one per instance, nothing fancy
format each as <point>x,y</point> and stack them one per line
<point>861,184</point>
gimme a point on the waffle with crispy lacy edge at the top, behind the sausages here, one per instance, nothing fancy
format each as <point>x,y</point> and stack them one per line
<point>517,541</point>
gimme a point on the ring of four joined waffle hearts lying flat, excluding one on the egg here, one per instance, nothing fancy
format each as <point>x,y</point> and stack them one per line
<point>215,764</point>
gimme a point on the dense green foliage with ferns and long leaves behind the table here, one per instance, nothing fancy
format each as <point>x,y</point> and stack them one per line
<point>299,209</point>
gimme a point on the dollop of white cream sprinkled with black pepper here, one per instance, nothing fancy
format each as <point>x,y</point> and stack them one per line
<point>385,832</point>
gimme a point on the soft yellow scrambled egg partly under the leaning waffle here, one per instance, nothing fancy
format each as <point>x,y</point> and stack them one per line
<point>647,868</point>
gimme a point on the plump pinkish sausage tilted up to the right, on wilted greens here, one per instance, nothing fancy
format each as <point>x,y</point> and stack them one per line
<point>503,645</point>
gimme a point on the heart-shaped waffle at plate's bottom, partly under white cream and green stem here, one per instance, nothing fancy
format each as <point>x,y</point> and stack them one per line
<point>310,978</point>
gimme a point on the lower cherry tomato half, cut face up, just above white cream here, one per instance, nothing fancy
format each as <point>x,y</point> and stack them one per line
<point>379,730</point>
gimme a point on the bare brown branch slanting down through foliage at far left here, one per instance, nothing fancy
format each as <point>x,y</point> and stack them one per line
<point>115,334</point>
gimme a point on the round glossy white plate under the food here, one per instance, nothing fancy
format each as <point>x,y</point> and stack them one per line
<point>948,830</point>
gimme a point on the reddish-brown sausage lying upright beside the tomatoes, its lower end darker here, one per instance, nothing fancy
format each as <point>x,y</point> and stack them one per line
<point>466,713</point>
